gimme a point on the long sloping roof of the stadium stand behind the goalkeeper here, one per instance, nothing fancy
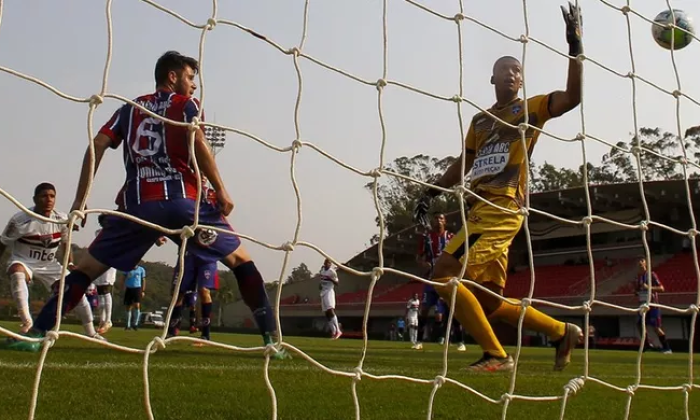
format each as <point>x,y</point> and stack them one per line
<point>665,200</point>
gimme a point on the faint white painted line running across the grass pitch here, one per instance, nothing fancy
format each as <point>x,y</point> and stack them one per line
<point>241,368</point>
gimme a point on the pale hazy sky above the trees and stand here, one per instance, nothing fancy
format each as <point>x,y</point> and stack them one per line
<point>251,86</point>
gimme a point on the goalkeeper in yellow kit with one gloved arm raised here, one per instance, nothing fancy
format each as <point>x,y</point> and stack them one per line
<point>495,154</point>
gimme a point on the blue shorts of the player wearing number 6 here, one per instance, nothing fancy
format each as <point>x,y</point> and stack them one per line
<point>122,244</point>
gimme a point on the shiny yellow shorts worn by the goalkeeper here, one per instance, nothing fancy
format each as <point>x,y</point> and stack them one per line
<point>491,231</point>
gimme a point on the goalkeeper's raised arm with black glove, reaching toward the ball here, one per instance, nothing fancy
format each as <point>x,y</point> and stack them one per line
<point>561,102</point>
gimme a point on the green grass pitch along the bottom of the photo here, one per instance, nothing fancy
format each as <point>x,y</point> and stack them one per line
<point>87,381</point>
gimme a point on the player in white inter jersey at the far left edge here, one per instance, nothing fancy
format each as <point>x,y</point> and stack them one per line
<point>35,244</point>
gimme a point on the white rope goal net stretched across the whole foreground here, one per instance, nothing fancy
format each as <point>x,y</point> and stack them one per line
<point>381,82</point>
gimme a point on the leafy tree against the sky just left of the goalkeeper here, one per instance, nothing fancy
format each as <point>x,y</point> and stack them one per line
<point>397,196</point>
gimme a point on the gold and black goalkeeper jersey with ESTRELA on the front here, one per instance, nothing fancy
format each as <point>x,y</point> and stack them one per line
<point>499,155</point>
